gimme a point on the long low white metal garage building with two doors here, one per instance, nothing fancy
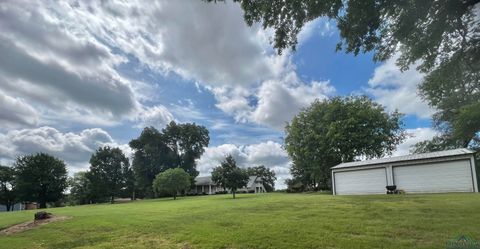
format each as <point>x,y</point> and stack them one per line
<point>435,172</point>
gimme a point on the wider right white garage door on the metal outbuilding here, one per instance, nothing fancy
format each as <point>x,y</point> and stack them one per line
<point>454,176</point>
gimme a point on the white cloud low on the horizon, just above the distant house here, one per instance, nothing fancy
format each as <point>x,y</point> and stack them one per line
<point>270,154</point>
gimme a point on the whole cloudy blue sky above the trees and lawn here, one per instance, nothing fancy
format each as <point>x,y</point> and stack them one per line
<point>77,75</point>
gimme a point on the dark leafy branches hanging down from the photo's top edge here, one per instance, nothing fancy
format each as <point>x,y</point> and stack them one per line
<point>427,30</point>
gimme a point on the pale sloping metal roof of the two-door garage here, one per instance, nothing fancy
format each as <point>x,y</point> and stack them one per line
<point>412,157</point>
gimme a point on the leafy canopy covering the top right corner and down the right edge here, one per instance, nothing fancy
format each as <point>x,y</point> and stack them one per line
<point>442,36</point>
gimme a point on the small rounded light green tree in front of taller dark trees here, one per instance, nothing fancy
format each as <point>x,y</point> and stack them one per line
<point>172,181</point>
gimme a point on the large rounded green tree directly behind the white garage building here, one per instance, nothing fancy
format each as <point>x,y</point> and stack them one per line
<point>339,130</point>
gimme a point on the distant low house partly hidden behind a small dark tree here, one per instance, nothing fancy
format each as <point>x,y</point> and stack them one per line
<point>205,185</point>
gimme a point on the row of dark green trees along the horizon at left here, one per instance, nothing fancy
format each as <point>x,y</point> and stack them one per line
<point>163,163</point>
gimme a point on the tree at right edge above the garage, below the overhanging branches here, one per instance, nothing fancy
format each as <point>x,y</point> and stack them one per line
<point>457,101</point>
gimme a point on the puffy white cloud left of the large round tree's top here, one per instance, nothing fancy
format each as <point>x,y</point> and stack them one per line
<point>274,102</point>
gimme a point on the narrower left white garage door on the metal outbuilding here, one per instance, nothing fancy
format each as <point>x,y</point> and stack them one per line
<point>366,181</point>
